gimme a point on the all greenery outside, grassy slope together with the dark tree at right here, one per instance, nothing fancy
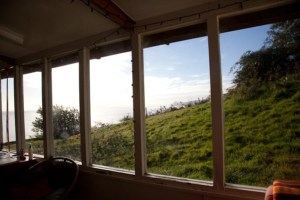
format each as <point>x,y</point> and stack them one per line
<point>262,124</point>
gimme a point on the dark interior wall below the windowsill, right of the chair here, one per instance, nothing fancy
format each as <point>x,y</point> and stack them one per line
<point>92,186</point>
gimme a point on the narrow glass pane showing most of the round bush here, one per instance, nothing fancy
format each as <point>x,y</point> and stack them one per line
<point>65,91</point>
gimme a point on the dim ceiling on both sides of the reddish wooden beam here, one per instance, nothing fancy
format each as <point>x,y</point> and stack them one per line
<point>29,28</point>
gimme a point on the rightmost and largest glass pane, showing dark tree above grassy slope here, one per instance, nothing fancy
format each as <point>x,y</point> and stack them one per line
<point>262,140</point>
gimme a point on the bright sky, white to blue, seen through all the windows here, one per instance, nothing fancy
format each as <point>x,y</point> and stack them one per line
<point>178,72</point>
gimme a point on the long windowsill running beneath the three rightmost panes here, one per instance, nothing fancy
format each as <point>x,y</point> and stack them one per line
<point>176,183</point>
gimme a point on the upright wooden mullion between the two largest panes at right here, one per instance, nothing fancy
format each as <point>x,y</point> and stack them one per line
<point>216,102</point>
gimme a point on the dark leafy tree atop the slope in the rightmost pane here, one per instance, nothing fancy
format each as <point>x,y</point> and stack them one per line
<point>274,63</point>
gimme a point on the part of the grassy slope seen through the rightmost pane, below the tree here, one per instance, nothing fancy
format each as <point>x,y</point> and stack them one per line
<point>263,138</point>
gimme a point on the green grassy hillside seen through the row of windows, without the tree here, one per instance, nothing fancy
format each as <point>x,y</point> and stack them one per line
<point>262,140</point>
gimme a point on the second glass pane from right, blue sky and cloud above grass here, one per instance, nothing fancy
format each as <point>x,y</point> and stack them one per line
<point>178,109</point>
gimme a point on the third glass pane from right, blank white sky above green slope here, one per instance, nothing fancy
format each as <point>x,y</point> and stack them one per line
<point>111,111</point>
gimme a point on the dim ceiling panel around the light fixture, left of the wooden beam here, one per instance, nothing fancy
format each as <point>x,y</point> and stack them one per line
<point>44,24</point>
